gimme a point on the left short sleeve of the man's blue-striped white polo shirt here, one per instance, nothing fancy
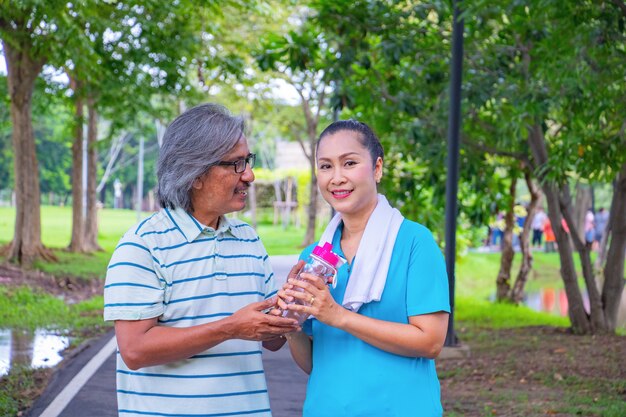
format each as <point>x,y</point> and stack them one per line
<point>133,290</point>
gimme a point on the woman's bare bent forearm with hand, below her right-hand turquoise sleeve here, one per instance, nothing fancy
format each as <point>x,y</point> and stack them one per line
<point>423,336</point>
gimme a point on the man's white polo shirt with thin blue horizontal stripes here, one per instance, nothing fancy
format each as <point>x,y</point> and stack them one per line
<point>172,267</point>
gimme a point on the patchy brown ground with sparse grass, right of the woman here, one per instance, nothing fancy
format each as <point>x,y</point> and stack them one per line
<point>536,371</point>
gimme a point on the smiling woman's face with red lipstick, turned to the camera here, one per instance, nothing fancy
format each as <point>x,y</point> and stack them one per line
<point>346,174</point>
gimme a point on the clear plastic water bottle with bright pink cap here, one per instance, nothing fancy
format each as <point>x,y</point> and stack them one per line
<point>323,263</point>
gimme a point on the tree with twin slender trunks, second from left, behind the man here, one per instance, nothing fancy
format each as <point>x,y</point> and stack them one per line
<point>138,49</point>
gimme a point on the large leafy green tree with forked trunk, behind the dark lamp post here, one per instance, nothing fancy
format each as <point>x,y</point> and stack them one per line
<point>549,79</point>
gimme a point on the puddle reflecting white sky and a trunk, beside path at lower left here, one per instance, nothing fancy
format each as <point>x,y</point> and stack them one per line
<point>39,348</point>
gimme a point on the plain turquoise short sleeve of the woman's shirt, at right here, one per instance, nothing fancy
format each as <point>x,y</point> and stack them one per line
<point>427,285</point>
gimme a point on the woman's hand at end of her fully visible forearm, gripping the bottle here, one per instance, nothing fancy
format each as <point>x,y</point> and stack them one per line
<point>316,298</point>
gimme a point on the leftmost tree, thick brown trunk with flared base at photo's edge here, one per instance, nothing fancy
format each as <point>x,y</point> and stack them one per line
<point>25,37</point>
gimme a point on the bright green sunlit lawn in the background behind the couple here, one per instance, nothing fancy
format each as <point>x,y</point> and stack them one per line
<point>475,272</point>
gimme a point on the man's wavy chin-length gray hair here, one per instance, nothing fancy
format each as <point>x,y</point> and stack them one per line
<point>192,143</point>
